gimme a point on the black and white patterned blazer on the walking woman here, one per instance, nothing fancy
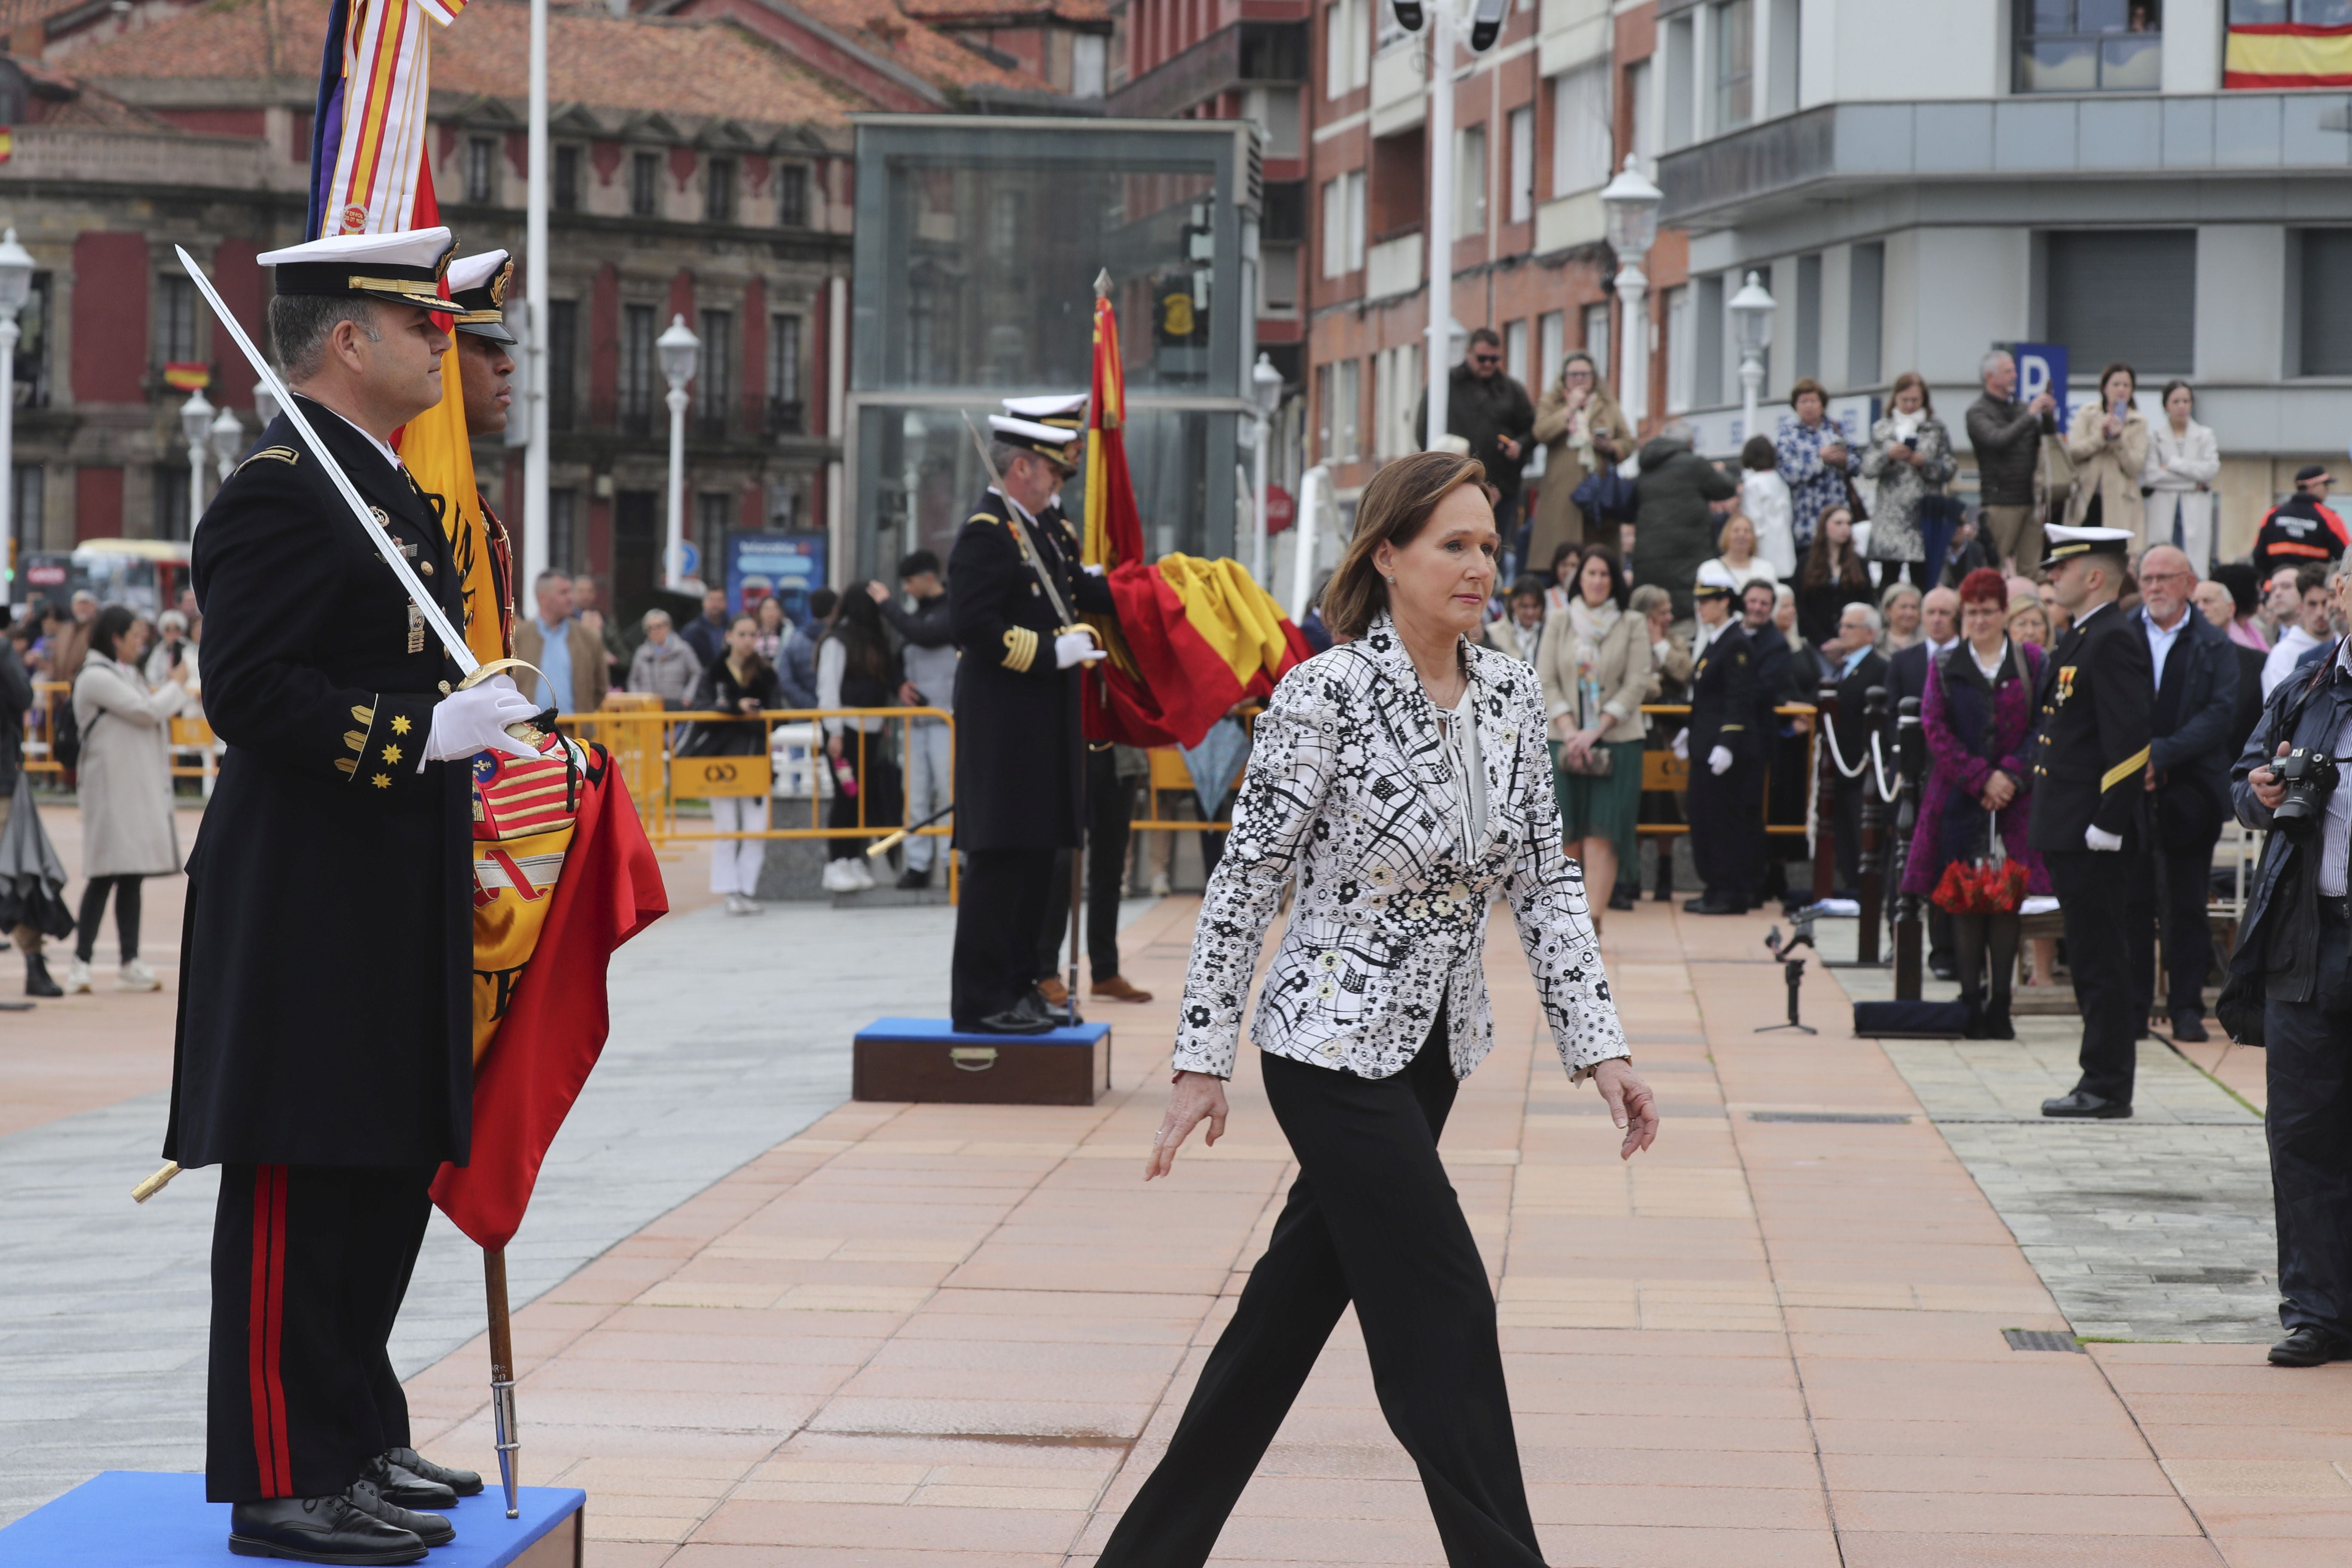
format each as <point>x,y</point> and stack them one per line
<point>1349,789</point>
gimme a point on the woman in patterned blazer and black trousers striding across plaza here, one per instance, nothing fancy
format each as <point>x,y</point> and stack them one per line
<point>1403,777</point>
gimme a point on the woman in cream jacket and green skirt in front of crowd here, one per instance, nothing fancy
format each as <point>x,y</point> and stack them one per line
<point>1598,669</point>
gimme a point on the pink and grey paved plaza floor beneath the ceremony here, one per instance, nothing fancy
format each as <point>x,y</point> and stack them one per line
<point>770,1327</point>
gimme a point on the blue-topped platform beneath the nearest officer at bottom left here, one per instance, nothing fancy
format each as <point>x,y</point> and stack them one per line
<point>142,1520</point>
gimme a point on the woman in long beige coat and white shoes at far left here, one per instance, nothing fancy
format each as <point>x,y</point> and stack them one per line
<point>126,789</point>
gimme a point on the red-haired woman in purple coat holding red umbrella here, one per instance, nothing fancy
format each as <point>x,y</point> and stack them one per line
<point>1979,721</point>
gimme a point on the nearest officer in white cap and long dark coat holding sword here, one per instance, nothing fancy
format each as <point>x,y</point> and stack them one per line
<point>326,1045</point>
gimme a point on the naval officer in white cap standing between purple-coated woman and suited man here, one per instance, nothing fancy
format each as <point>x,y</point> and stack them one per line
<point>2090,815</point>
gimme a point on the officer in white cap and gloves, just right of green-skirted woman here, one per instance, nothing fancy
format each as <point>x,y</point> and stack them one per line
<point>1728,845</point>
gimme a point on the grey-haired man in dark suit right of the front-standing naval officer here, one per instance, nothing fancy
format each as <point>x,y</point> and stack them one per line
<point>2189,770</point>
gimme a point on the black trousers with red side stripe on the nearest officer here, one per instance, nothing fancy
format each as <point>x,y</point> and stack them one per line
<point>309,1266</point>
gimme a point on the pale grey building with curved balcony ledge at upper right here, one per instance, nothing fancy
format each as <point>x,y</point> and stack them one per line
<point>2158,182</point>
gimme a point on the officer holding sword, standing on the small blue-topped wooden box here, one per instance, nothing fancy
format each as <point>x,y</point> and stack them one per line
<point>1020,760</point>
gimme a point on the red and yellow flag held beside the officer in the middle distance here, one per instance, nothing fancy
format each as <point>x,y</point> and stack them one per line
<point>1194,636</point>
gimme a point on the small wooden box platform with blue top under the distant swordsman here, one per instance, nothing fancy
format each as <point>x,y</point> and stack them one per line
<point>930,1059</point>
